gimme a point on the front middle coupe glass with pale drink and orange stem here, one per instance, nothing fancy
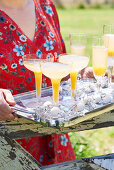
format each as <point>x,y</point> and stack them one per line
<point>55,71</point>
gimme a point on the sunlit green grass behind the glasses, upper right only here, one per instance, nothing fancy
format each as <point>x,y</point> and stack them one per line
<point>90,21</point>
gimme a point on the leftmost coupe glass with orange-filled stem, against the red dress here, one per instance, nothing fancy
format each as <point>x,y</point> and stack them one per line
<point>32,63</point>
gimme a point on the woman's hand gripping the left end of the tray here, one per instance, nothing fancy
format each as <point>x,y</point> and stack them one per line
<point>6,100</point>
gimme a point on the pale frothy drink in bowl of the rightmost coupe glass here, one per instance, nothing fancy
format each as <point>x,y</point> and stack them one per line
<point>76,62</point>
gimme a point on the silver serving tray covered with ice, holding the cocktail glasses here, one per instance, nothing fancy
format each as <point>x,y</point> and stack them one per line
<point>88,103</point>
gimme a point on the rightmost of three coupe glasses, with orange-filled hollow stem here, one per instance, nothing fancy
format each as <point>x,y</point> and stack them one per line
<point>76,63</point>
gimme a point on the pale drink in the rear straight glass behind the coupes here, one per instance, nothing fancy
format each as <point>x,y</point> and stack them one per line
<point>78,49</point>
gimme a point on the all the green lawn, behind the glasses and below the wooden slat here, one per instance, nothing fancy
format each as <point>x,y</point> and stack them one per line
<point>93,142</point>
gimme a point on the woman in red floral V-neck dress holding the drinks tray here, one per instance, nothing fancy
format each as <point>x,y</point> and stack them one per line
<point>28,26</point>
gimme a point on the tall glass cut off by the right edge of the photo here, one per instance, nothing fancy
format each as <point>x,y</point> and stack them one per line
<point>108,37</point>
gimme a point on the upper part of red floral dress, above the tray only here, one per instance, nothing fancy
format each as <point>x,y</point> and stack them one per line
<point>14,44</point>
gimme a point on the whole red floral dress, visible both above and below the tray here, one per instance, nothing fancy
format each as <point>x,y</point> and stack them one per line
<point>15,77</point>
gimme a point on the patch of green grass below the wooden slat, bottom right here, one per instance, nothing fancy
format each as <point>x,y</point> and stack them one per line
<point>93,142</point>
